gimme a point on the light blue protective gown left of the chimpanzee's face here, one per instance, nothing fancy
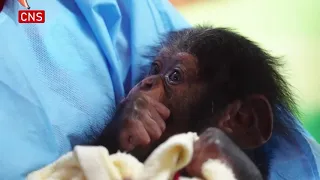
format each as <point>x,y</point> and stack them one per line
<point>60,81</point>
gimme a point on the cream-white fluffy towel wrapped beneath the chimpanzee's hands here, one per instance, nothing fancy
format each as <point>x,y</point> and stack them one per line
<point>95,163</point>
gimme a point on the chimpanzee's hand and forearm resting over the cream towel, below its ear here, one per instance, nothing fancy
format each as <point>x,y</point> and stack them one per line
<point>214,144</point>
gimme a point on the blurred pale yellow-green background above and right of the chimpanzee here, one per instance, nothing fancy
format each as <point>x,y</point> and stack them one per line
<point>287,28</point>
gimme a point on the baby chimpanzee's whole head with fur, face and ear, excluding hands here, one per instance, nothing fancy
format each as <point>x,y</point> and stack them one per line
<point>213,77</point>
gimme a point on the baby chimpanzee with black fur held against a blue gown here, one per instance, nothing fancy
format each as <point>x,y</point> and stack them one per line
<point>205,77</point>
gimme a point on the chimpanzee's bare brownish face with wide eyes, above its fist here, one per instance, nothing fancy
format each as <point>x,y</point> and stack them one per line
<point>173,80</point>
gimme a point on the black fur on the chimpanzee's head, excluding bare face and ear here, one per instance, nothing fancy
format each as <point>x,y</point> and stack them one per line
<point>233,67</point>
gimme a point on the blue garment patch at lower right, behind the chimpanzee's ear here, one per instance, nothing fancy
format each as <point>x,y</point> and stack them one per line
<point>295,154</point>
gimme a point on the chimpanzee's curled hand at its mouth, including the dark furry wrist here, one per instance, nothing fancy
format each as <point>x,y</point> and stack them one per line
<point>139,120</point>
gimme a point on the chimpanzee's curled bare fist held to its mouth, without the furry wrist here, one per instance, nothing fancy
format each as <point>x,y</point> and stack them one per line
<point>143,121</point>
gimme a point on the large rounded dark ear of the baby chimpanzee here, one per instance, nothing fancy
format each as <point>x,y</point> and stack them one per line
<point>249,123</point>
